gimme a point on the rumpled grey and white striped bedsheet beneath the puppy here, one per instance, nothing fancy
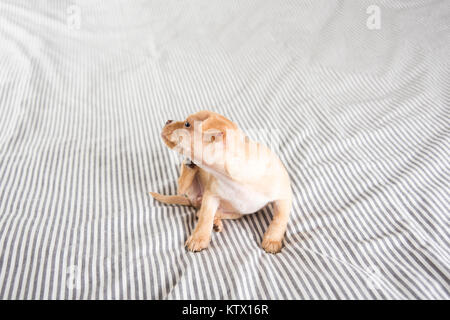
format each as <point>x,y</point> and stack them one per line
<point>353,96</point>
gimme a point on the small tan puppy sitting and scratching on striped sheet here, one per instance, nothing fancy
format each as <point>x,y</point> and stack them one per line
<point>228,176</point>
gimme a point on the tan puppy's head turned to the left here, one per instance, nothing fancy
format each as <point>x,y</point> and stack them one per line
<point>201,137</point>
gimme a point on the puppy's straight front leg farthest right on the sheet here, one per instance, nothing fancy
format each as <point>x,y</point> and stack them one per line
<point>273,238</point>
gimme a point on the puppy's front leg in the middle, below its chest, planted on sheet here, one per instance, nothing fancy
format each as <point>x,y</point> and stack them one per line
<point>201,236</point>
